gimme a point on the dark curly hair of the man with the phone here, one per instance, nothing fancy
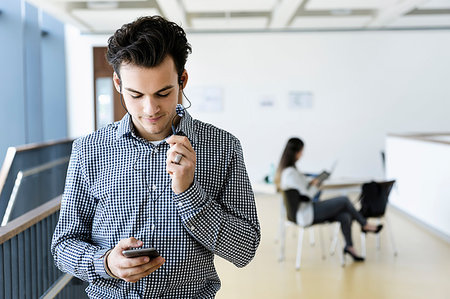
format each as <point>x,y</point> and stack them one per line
<point>146,42</point>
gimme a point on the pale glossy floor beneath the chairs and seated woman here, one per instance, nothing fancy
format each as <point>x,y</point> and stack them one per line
<point>421,269</point>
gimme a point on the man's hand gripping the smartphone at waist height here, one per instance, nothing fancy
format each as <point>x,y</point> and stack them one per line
<point>131,269</point>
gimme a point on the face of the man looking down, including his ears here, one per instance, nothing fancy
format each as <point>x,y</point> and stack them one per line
<point>151,96</point>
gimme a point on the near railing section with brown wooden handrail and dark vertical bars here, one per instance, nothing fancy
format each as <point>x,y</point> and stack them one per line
<point>27,269</point>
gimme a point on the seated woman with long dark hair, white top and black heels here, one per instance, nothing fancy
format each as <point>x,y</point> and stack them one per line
<point>335,209</point>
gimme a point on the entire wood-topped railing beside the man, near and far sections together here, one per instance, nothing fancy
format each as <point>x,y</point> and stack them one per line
<point>29,219</point>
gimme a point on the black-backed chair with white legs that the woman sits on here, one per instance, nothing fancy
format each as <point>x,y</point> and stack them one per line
<point>289,205</point>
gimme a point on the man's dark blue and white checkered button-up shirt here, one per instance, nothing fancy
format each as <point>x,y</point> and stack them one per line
<point>117,187</point>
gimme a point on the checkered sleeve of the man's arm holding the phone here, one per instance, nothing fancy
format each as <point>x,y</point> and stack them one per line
<point>71,247</point>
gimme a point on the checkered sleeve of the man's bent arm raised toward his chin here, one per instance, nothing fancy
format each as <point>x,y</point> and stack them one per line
<point>227,226</point>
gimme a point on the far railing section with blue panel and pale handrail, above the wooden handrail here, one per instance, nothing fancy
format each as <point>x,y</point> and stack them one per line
<point>31,175</point>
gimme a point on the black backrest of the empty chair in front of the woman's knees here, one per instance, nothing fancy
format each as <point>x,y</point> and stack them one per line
<point>374,198</point>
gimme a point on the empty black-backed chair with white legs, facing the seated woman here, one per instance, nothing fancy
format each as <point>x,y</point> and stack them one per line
<point>374,198</point>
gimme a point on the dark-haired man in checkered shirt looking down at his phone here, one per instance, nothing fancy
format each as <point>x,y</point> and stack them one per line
<point>135,183</point>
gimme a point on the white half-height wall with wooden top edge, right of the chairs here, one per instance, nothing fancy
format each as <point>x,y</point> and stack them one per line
<point>422,173</point>
